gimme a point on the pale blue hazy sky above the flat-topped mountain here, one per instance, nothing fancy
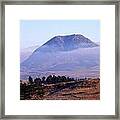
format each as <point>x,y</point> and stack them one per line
<point>37,32</point>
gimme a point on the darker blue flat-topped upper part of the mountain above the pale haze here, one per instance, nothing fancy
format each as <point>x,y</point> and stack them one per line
<point>66,43</point>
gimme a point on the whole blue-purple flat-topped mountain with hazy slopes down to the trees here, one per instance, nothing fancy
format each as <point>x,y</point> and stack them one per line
<point>64,54</point>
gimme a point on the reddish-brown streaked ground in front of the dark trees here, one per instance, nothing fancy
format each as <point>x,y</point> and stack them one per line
<point>75,90</point>
